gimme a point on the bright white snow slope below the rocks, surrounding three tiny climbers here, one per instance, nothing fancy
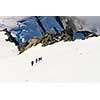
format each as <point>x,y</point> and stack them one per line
<point>63,61</point>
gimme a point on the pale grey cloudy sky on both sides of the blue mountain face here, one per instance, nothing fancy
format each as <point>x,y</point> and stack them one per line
<point>89,22</point>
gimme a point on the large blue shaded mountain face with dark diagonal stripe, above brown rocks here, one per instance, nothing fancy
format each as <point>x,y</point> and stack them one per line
<point>34,26</point>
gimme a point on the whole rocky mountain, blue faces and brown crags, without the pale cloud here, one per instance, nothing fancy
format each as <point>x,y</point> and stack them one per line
<point>46,30</point>
